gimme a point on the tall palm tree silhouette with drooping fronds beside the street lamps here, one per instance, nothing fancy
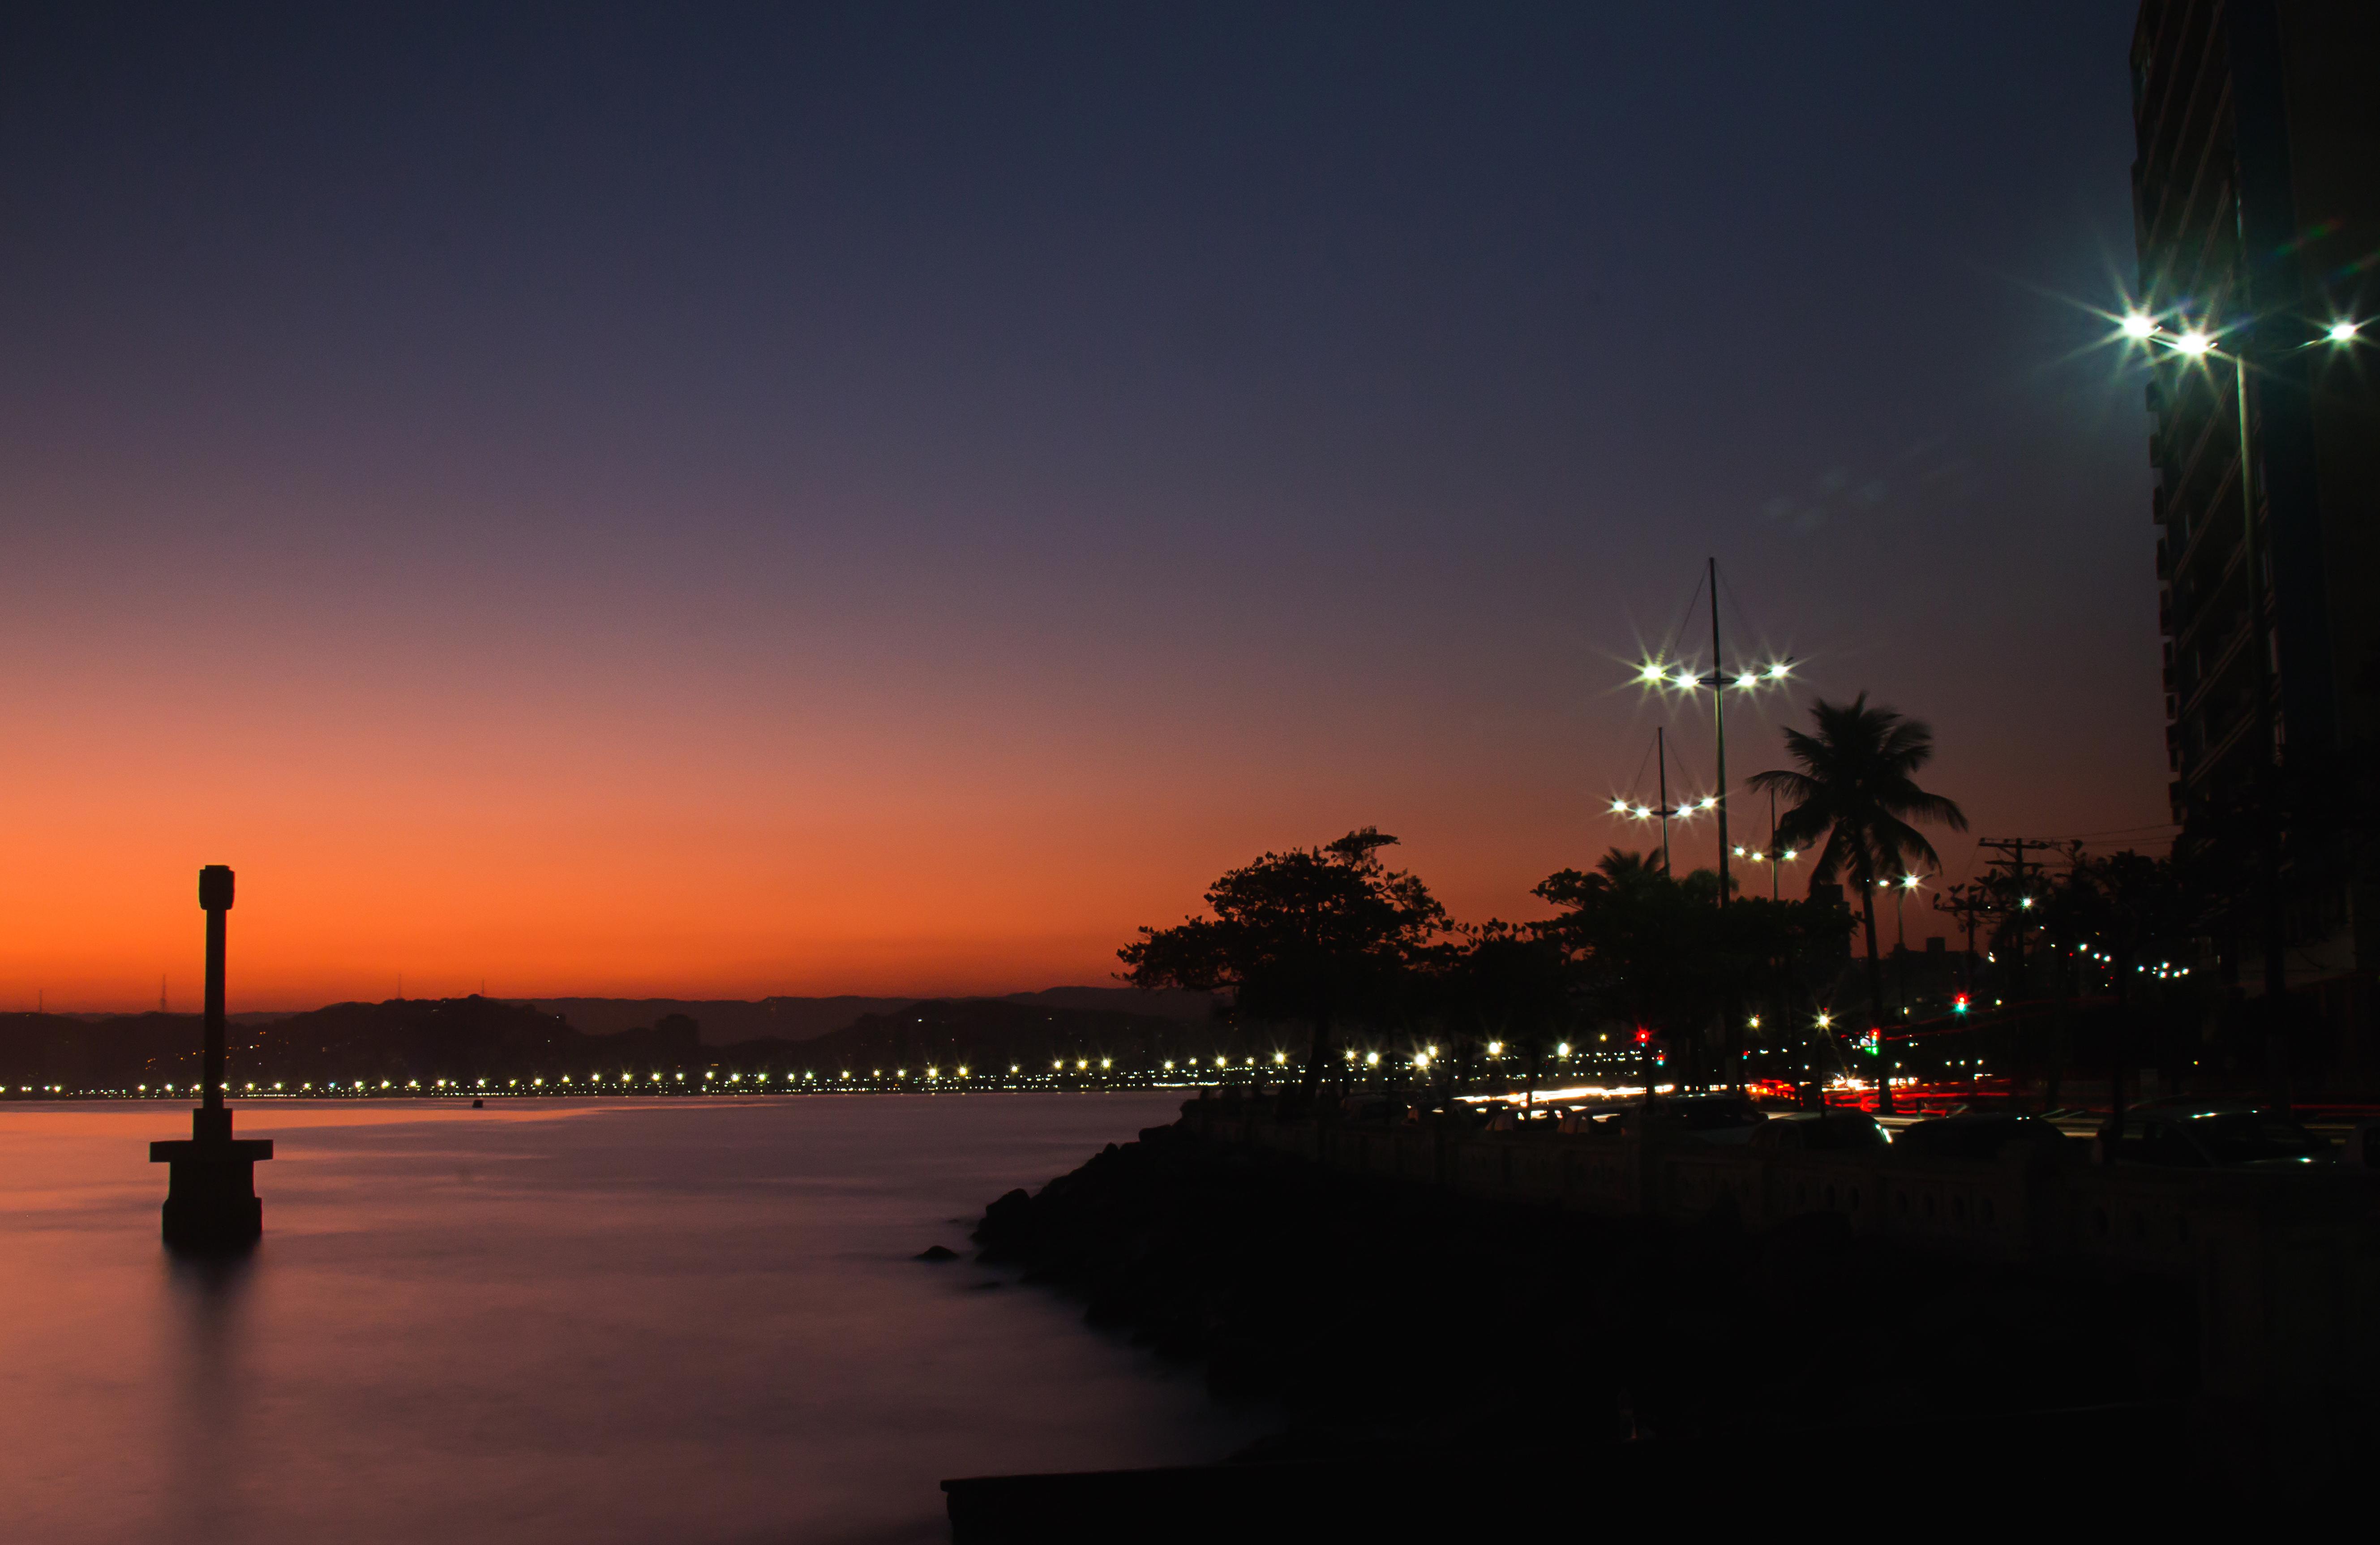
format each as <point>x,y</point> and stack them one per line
<point>1858,784</point>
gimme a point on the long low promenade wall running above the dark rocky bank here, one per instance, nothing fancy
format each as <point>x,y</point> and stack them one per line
<point>2284,1265</point>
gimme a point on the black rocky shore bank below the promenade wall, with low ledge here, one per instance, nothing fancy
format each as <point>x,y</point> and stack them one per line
<point>1443,1358</point>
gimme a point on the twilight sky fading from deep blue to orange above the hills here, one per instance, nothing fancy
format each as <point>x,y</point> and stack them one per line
<point>734,501</point>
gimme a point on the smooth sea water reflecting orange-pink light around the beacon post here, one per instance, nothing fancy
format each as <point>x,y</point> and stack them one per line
<point>556,1322</point>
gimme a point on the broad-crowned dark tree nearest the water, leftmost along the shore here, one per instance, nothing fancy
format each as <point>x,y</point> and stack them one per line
<point>1308,934</point>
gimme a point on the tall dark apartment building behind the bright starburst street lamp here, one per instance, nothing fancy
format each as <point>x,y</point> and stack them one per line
<point>2257,220</point>
